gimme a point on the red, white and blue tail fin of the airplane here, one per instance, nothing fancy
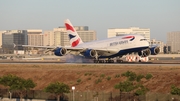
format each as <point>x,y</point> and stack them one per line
<point>73,36</point>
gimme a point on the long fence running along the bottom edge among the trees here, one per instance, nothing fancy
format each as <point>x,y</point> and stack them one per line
<point>93,96</point>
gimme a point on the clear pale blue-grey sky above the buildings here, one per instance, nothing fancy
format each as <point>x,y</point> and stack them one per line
<point>161,16</point>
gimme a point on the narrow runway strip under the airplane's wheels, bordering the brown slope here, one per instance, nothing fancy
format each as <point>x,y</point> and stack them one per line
<point>152,63</point>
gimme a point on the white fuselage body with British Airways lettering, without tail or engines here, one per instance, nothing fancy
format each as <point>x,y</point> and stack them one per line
<point>116,44</point>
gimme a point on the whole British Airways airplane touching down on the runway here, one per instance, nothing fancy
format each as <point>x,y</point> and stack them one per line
<point>103,49</point>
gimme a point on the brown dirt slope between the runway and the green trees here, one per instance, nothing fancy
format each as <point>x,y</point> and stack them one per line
<point>94,77</point>
